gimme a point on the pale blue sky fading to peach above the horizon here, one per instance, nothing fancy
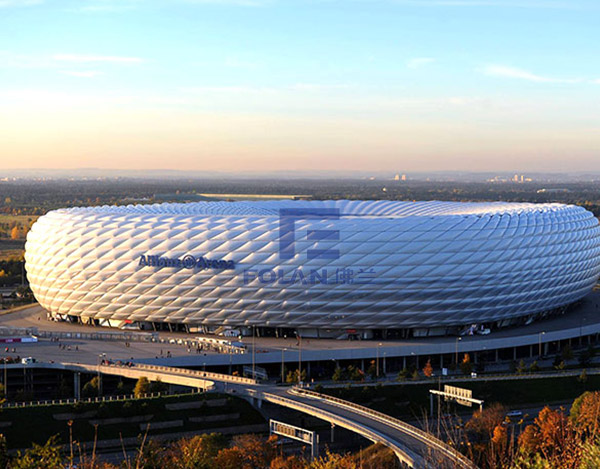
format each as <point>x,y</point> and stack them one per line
<point>300,85</point>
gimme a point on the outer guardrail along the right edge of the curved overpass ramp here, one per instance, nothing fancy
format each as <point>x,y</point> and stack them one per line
<point>417,433</point>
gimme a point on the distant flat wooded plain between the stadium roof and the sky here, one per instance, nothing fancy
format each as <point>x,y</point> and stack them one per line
<point>28,197</point>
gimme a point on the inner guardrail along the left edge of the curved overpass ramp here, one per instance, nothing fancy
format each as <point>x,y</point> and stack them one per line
<point>377,437</point>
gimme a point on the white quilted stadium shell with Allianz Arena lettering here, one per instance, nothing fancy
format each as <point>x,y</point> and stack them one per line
<point>324,268</point>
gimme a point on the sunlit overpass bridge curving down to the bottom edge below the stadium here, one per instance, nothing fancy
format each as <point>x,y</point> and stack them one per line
<point>413,447</point>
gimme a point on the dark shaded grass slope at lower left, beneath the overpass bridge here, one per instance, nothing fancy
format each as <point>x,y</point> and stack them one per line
<point>19,434</point>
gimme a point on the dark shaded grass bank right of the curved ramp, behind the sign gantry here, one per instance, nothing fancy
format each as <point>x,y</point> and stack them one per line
<point>412,400</point>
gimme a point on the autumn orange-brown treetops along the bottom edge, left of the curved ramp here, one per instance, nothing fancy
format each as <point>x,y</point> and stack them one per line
<point>202,452</point>
